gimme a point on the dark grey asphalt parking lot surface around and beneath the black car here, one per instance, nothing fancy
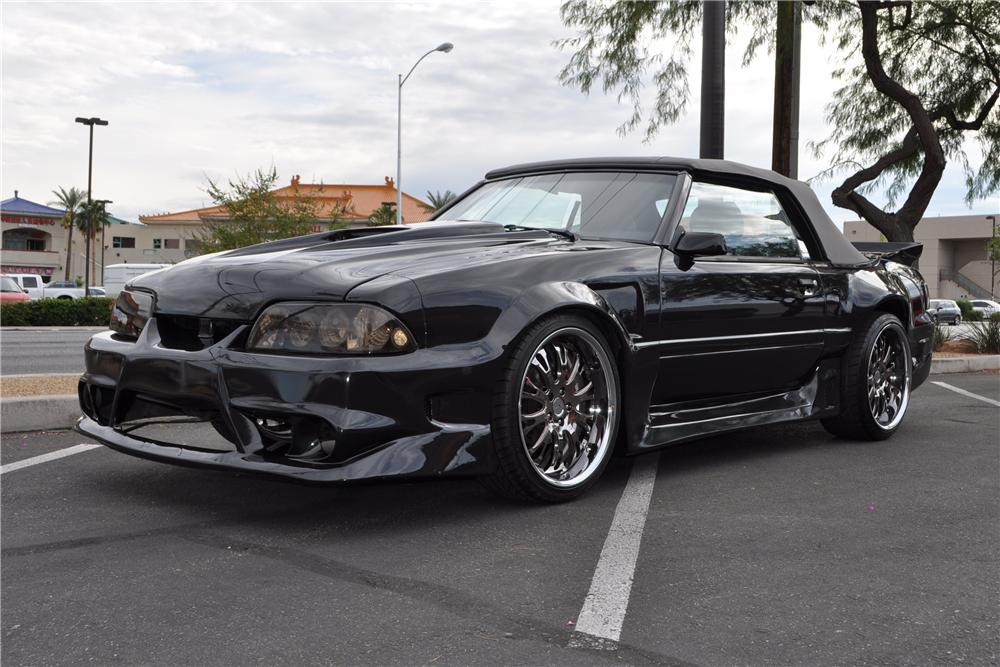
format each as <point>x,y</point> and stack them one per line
<point>779,545</point>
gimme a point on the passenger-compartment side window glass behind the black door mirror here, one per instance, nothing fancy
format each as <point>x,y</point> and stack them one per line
<point>752,222</point>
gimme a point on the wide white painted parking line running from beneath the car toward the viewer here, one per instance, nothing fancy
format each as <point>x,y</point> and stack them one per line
<point>599,624</point>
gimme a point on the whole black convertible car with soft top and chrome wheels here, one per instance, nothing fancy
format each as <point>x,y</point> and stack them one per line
<point>553,313</point>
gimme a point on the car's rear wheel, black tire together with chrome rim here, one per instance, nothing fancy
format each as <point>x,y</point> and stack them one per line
<point>864,376</point>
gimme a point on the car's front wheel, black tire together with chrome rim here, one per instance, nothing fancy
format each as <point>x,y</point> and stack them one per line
<point>519,473</point>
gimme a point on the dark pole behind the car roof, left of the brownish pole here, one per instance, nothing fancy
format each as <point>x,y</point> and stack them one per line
<point>713,79</point>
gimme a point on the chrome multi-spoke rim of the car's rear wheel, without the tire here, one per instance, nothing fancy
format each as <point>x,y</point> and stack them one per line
<point>888,378</point>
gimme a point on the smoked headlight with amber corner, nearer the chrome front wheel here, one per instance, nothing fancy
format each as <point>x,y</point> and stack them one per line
<point>312,328</point>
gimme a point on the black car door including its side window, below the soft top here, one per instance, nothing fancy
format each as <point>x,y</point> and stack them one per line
<point>743,323</point>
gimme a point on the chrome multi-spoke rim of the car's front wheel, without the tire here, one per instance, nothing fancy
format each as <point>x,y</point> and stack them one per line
<point>567,405</point>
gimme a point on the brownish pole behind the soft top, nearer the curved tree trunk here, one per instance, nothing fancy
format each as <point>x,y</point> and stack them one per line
<point>787,59</point>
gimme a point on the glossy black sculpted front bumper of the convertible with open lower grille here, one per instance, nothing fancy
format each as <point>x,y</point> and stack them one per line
<point>422,414</point>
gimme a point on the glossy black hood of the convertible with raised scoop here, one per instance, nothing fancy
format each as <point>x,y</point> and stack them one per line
<point>237,283</point>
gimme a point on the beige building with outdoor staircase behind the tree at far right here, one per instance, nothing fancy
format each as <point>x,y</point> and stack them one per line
<point>954,261</point>
